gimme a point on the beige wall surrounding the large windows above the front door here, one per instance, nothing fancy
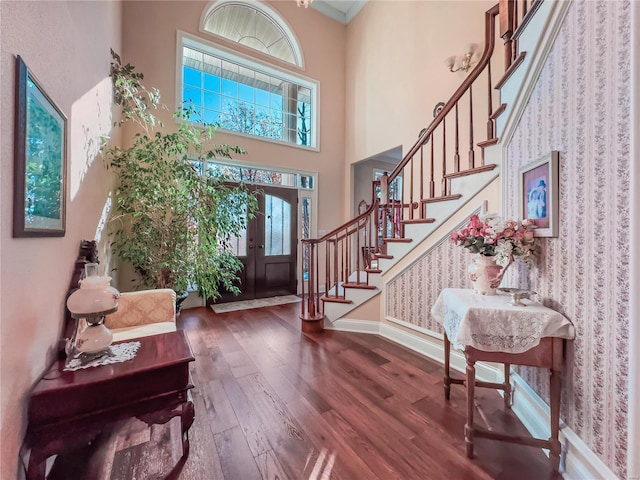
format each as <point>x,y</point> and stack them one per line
<point>149,43</point>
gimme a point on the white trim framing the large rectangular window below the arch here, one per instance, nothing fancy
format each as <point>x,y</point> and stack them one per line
<point>199,43</point>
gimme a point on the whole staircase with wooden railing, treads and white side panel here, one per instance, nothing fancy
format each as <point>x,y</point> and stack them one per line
<point>454,158</point>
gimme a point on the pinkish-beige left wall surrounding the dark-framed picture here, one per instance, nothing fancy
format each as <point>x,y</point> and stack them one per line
<point>66,46</point>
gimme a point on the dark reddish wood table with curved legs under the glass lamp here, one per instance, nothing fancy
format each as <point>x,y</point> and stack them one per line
<point>67,409</point>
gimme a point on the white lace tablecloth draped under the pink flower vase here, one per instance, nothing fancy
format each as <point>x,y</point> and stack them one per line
<point>490,323</point>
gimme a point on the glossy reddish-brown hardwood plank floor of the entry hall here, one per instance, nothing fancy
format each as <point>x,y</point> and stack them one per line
<point>272,403</point>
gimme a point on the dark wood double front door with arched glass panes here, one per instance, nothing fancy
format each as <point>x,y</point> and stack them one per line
<point>268,250</point>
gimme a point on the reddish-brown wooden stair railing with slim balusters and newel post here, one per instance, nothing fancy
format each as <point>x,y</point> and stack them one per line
<point>402,197</point>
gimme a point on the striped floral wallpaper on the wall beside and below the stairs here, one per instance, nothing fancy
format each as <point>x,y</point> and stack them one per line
<point>580,107</point>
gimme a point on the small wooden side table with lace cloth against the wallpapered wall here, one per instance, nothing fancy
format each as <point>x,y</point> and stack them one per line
<point>489,329</point>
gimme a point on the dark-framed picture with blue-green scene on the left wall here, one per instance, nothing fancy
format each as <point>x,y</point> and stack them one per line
<point>39,160</point>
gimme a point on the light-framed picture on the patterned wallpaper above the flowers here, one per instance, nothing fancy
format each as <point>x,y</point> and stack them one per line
<point>539,194</point>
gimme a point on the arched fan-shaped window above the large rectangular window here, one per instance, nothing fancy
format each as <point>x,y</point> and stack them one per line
<point>253,25</point>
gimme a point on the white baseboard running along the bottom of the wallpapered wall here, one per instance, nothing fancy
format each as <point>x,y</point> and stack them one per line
<point>580,463</point>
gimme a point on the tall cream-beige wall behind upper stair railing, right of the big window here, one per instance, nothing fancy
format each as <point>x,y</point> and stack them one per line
<point>396,72</point>
